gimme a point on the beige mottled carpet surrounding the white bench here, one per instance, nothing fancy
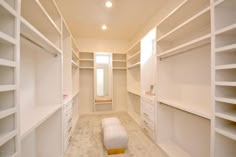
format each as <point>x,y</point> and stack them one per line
<point>87,139</point>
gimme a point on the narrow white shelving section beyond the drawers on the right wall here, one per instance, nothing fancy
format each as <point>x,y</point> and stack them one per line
<point>133,81</point>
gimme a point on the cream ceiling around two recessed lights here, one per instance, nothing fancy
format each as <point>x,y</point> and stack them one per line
<point>124,19</point>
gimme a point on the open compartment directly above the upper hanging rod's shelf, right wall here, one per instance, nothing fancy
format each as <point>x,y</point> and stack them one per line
<point>191,31</point>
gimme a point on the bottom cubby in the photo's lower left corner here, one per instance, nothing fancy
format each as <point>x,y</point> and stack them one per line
<point>8,149</point>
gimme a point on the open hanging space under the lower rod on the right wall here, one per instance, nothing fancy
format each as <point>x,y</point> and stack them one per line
<point>182,134</point>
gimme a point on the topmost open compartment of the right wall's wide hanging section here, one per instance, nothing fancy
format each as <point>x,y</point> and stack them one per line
<point>180,16</point>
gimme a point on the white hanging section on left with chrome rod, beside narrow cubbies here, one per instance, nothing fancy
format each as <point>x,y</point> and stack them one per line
<point>40,80</point>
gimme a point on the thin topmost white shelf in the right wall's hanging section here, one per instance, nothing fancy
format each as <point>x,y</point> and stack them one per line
<point>181,26</point>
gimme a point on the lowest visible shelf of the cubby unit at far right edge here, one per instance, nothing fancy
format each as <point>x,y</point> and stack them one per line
<point>227,131</point>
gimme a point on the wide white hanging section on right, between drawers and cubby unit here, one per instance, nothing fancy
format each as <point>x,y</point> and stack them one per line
<point>184,80</point>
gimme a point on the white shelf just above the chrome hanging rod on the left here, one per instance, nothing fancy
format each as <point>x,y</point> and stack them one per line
<point>33,34</point>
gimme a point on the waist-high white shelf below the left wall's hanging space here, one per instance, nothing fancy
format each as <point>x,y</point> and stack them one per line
<point>34,117</point>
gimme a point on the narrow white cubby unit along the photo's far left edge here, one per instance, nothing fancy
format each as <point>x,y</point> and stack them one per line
<point>9,80</point>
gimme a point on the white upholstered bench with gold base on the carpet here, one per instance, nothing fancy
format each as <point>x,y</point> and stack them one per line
<point>114,135</point>
